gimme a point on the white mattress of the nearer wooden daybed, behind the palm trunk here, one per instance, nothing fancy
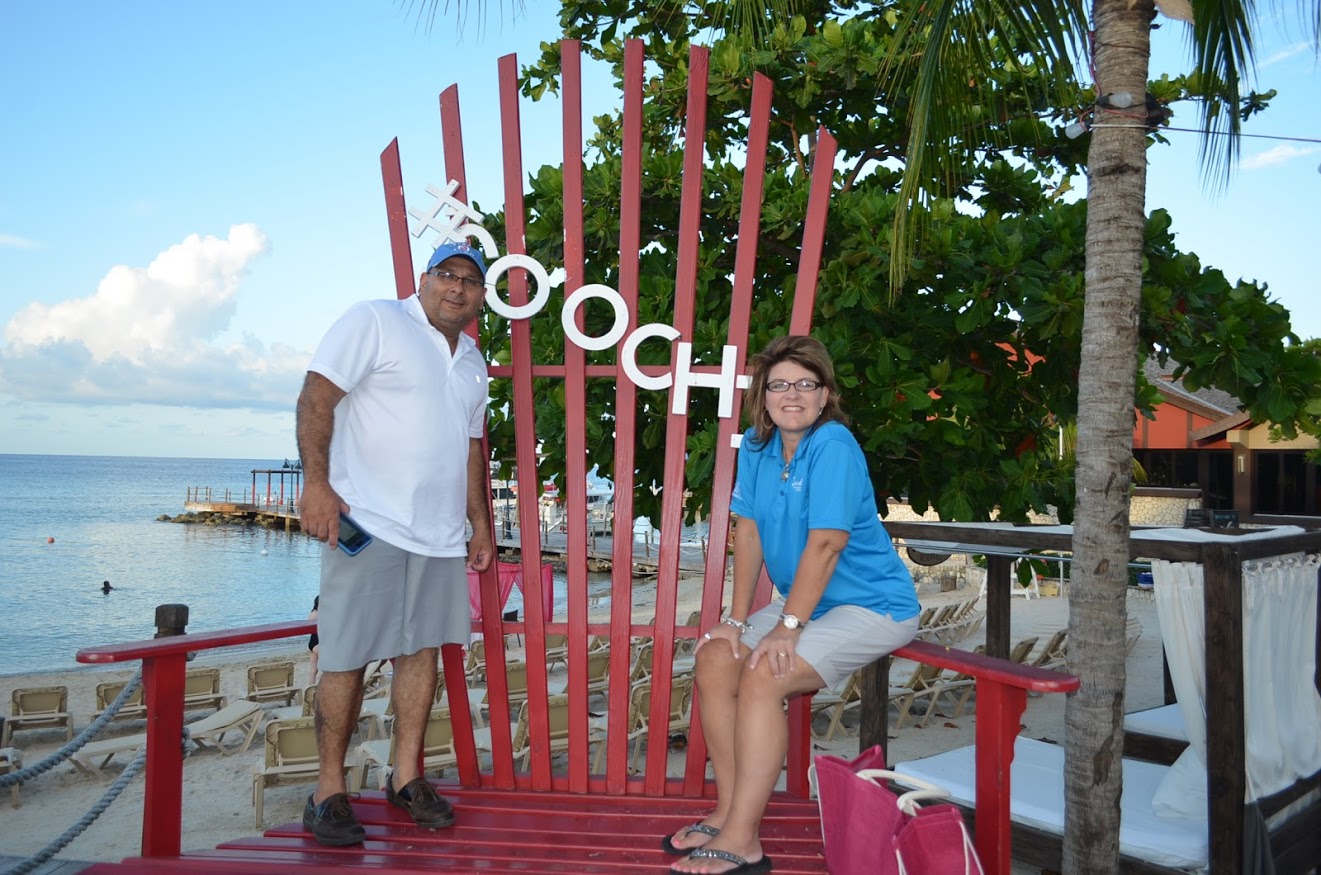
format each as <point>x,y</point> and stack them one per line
<point>1038,786</point>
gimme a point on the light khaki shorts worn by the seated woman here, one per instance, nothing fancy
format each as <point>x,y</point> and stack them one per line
<point>839,643</point>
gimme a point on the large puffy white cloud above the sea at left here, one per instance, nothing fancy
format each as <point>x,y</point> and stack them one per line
<point>149,336</point>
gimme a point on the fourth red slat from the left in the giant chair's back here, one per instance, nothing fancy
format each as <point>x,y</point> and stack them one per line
<point>575,413</point>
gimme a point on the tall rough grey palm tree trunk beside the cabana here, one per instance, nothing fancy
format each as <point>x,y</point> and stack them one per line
<point>1117,190</point>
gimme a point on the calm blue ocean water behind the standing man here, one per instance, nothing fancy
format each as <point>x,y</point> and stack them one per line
<point>101,514</point>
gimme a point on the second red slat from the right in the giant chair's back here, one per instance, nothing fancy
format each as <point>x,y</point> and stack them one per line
<point>740,317</point>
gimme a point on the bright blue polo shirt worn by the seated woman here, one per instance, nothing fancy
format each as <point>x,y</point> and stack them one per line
<point>828,488</point>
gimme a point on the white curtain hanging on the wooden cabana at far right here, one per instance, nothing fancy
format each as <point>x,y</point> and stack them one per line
<point>1282,722</point>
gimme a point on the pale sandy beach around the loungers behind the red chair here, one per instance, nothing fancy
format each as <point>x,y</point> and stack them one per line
<point>219,790</point>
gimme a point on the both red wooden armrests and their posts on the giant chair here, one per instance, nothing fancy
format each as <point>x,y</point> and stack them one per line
<point>1002,691</point>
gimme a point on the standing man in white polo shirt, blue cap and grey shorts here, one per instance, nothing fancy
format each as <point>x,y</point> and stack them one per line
<point>390,429</point>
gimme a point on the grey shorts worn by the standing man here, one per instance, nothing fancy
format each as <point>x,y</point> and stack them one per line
<point>388,602</point>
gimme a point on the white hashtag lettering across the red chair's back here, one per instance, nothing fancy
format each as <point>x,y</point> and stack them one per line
<point>446,219</point>
